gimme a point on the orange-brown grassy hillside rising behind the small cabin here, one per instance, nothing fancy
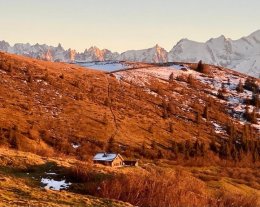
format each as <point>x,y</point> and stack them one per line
<point>46,106</point>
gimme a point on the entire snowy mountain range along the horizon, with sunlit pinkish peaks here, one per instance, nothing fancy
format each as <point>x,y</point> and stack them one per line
<point>242,55</point>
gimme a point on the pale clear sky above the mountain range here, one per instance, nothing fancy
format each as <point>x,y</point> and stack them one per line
<point>125,24</point>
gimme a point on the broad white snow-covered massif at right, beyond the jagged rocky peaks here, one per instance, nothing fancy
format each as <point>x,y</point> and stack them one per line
<point>242,55</point>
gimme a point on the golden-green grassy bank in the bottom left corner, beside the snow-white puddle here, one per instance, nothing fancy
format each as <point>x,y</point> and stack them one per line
<point>19,183</point>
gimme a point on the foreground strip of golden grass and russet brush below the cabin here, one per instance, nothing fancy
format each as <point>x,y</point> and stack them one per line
<point>21,173</point>
